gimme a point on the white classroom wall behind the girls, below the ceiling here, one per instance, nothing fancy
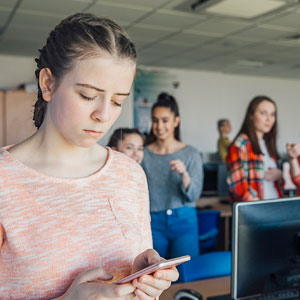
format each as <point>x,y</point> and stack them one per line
<point>203,98</point>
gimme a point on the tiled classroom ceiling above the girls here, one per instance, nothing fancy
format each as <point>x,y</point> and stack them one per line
<point>168,33</point>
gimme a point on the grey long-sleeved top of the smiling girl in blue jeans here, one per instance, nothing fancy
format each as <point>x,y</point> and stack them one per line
<point>166,186</point>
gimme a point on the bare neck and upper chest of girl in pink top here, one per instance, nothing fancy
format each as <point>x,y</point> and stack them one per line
<point>54,158</point>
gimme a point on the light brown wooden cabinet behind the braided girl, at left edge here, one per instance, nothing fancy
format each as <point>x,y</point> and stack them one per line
<point>17,113</point>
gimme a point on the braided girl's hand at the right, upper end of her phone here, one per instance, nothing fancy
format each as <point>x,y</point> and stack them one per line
<point>150,286</point>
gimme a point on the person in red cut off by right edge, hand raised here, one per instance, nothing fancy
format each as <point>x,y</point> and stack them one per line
<point>293,151</point>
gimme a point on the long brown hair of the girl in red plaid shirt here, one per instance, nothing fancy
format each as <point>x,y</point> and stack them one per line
<point>248,128</point>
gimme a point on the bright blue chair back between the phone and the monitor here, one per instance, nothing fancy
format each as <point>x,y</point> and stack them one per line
<point>209,265</point>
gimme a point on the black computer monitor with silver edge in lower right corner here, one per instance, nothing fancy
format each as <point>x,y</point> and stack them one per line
<point>265,246</point>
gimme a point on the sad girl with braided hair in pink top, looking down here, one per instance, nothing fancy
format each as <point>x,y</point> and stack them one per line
<point>74,214</point>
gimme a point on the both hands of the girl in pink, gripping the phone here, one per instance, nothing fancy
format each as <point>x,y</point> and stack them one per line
<point>88,284</point>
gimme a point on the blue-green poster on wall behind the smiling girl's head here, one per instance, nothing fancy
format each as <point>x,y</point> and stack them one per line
<point>148,85</point>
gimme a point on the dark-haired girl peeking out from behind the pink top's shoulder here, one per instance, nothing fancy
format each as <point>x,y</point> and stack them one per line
<point>129,141</point>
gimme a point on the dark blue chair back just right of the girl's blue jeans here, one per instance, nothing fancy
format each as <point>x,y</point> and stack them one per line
<point>208,228</point>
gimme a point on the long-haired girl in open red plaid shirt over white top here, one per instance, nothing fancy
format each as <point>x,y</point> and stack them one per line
<point>252,157</point>
